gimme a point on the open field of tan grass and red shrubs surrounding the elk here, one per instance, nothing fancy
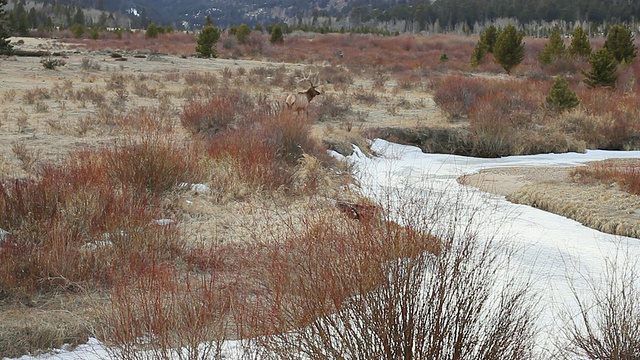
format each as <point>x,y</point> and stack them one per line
<point>227,198</point>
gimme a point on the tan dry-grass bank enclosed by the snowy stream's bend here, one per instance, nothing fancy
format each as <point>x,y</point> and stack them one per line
<point>604,207</point>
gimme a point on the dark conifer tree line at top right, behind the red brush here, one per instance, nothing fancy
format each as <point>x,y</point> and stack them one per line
<point>452,13</point>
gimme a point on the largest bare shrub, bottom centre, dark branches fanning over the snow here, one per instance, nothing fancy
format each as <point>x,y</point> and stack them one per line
<point>372,289</point>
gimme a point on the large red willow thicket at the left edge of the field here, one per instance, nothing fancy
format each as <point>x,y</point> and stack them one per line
<point>91,219</point>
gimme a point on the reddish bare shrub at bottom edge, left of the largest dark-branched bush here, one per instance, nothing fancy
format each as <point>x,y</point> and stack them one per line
<point>163,314</point>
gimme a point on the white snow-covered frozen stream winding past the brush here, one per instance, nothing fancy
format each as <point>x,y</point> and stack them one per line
<point>554,250</point>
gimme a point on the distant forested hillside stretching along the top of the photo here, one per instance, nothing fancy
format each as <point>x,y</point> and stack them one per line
<point>396,15</point>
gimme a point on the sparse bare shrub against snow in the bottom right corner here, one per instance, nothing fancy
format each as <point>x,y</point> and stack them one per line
<point>607,322</point>
